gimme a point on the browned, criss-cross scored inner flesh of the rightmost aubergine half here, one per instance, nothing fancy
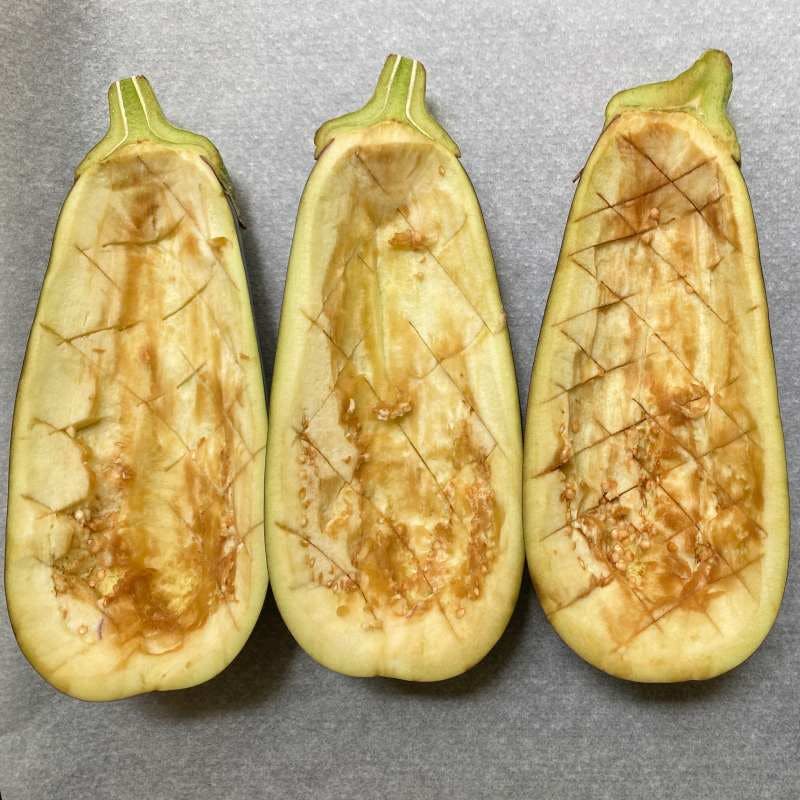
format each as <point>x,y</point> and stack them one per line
<point>659,458</point>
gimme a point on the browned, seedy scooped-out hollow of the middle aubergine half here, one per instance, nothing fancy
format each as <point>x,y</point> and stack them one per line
<point>399,512</point>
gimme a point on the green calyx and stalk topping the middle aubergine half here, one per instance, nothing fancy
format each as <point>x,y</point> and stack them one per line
<point>399,96</point>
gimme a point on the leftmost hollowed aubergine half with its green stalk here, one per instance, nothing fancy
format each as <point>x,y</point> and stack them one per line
<point>134,552</point>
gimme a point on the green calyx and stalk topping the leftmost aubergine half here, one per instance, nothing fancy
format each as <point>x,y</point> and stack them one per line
<point>136,116</point>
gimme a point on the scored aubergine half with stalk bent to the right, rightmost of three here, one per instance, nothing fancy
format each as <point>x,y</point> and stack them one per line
<point>656,507</point>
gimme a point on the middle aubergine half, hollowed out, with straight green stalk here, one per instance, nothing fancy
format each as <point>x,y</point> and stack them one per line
<point>394,465</point>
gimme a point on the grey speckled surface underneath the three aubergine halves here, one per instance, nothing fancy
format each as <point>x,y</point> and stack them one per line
<point>521,87</point>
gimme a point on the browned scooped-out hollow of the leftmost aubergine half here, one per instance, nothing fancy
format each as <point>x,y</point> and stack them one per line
<point>155,545</point>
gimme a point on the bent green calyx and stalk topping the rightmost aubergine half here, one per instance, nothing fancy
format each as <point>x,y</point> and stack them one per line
<point>702,90</point>
